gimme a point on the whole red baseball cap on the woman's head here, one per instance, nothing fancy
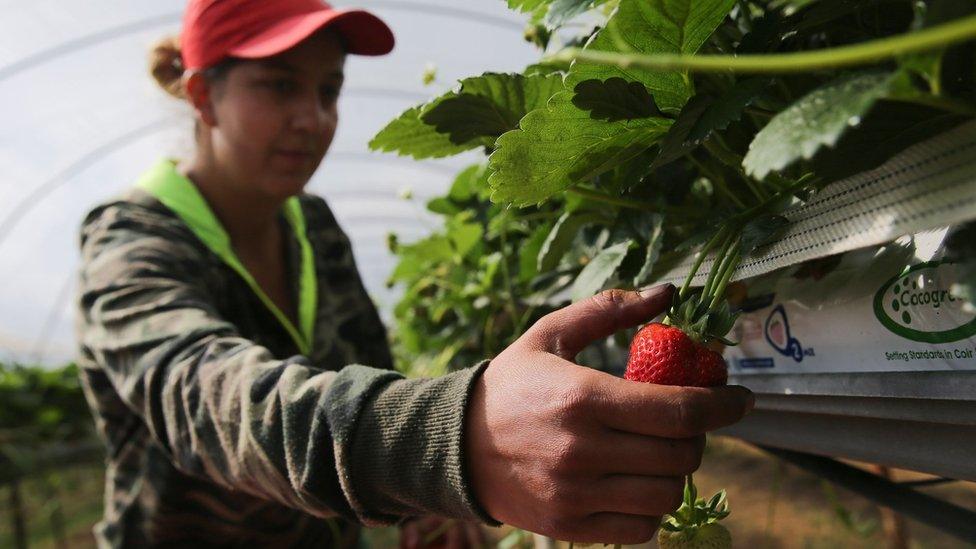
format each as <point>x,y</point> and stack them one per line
<point>216,29</point>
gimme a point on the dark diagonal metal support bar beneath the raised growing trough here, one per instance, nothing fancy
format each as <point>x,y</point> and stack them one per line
<point>947,517</point>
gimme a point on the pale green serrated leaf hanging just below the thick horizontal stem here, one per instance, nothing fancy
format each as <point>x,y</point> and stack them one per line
<point>816,120</point>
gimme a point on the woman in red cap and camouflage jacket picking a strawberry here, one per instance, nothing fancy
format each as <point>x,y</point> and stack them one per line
<point>223,328</point>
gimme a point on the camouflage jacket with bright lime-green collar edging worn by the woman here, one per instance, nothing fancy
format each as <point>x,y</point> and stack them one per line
<point>226,424</point>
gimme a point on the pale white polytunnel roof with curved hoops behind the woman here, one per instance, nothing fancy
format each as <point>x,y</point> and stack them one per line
<point>82,119</point>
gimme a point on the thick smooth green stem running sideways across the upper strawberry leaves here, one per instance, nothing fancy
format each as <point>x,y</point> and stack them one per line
<point>937,37</point>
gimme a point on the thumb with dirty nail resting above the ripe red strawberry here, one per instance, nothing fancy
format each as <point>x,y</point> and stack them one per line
<point>567,331</point>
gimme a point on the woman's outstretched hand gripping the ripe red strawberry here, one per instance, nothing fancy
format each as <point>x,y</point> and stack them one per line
<point>577,454</point>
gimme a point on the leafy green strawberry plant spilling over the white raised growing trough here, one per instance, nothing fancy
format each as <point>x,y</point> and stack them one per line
<point>651,130</point>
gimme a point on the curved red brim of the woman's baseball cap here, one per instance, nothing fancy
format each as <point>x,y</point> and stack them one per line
<point>364,34</point>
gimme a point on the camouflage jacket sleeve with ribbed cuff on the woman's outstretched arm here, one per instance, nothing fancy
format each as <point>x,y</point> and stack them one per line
<point>361,442</point>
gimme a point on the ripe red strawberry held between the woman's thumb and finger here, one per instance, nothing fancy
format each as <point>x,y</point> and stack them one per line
<point>665,355</point>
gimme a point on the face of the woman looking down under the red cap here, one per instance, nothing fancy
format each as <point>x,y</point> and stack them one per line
<point>275,117</point>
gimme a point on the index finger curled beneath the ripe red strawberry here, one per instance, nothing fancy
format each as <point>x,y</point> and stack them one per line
<point>669,411</point>
